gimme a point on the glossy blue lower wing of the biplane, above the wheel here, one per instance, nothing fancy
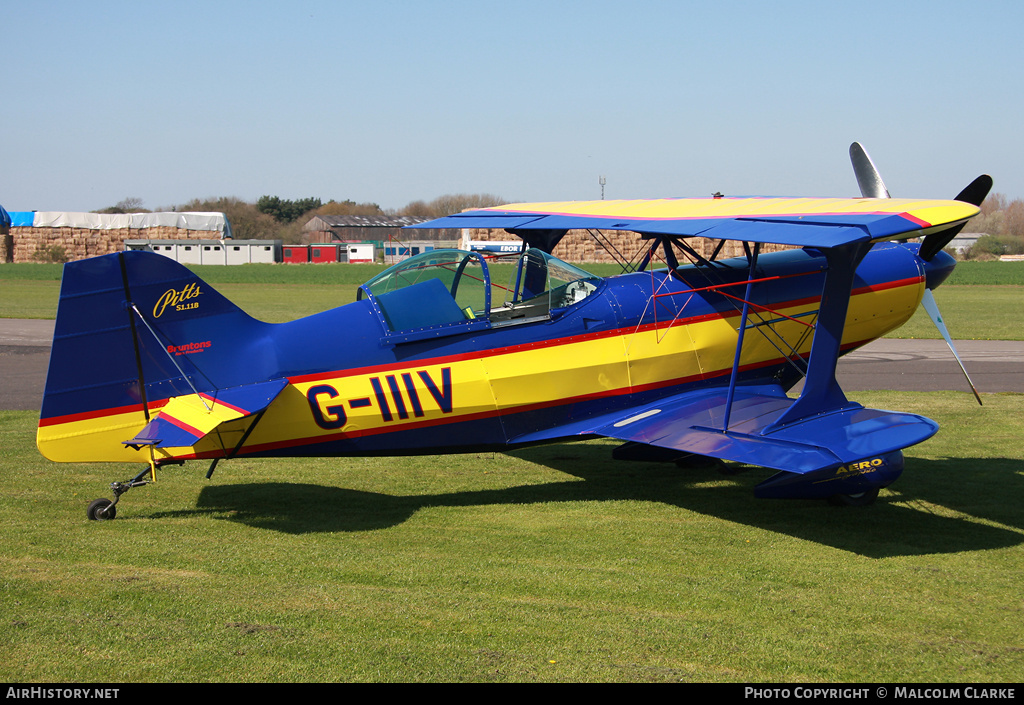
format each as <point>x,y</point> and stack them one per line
<point>693,423</point>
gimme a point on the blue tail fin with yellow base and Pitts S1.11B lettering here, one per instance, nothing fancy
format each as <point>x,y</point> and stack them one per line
<point>134,330</point>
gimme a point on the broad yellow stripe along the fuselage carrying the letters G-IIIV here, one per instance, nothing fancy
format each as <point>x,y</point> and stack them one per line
<point>451,390</point>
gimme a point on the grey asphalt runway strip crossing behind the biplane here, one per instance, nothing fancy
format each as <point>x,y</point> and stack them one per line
<point>887,364</point>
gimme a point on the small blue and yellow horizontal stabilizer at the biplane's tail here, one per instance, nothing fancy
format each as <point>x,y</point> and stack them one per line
<point>187,420</point>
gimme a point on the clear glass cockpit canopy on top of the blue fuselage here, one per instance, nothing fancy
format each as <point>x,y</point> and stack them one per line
<point>446,293</point>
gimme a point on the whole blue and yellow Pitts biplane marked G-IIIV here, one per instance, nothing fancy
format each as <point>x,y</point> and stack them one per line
<point>686,356</point>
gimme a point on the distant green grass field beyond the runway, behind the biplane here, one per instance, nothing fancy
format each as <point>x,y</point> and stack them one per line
<point>982,301</point>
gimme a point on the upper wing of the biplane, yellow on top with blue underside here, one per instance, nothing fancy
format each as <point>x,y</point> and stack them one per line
<point>802,223</point>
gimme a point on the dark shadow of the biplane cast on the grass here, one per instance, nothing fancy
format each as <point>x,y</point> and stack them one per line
<point>935,511</point>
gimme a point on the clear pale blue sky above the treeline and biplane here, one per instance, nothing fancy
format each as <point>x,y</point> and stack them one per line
<point>396,101</point>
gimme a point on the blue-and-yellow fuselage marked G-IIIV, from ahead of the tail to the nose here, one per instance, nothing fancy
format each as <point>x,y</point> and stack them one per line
<point>638,338</point>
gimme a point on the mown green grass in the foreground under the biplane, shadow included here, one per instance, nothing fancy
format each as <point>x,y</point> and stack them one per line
<point>551,564</point>
